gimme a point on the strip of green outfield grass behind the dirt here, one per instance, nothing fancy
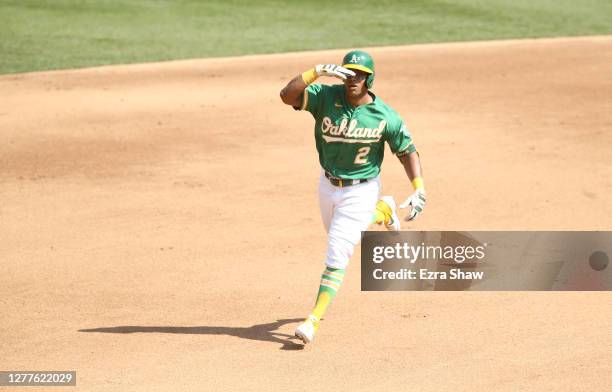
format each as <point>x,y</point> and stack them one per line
<point>41,35</point>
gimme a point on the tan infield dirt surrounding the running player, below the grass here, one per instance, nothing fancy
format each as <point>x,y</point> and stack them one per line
<point>160,230</point>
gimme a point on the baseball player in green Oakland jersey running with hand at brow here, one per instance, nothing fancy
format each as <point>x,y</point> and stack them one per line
<point>351,126</point>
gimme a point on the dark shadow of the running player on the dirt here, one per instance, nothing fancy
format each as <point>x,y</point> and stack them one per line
<point>263,332</point>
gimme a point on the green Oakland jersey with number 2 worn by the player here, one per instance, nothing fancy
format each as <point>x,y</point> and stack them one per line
<point>350,140</point>
